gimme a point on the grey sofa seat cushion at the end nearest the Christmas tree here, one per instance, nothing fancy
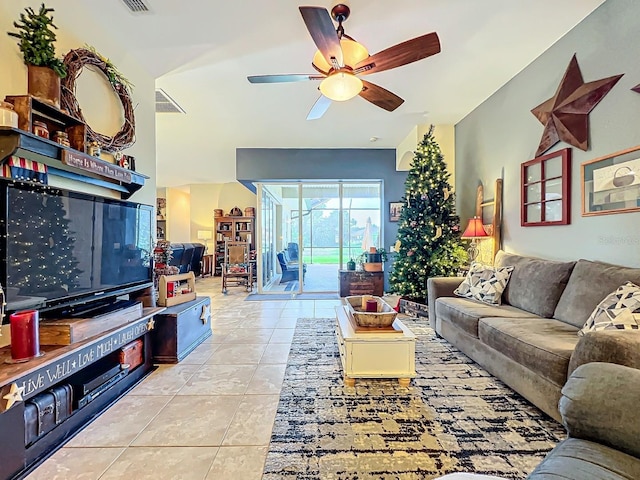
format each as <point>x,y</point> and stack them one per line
<point>465,313</point>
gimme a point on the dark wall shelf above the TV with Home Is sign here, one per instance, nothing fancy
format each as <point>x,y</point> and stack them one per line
<point>21,143</point>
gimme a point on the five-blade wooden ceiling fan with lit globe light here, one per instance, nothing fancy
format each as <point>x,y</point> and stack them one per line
<point>340,60</point>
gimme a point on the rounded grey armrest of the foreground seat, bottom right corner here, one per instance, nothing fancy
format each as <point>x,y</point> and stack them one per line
<point>600,403</point>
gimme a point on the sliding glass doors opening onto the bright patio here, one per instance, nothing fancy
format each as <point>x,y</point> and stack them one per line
<point>310,230</point>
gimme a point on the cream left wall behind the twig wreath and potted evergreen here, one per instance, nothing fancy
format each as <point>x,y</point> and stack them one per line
<point>99,105</point>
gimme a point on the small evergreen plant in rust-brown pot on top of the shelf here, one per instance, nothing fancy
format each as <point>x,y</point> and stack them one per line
<point>37,39</point>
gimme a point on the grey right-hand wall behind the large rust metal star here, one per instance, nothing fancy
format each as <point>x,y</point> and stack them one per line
<point>501,133</point>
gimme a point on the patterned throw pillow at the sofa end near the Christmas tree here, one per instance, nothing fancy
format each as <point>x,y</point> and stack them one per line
<point>485,283</point>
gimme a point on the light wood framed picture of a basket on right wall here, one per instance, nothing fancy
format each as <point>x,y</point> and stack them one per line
<point>611,184</point>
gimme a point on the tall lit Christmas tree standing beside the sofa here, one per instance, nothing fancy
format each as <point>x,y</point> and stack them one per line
<point>428,242</point>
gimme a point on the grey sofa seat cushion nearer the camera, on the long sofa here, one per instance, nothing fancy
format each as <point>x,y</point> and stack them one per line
<point>544,346</point>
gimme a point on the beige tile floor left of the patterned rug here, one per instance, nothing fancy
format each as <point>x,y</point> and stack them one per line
<point>209,417</point>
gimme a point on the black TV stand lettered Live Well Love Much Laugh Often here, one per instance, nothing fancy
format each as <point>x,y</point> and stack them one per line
<point>54,368</point>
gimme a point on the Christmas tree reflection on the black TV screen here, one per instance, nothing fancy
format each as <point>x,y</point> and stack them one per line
<point>44,261</point>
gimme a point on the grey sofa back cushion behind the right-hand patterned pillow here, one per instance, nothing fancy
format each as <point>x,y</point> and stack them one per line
<point>589,284</point>
